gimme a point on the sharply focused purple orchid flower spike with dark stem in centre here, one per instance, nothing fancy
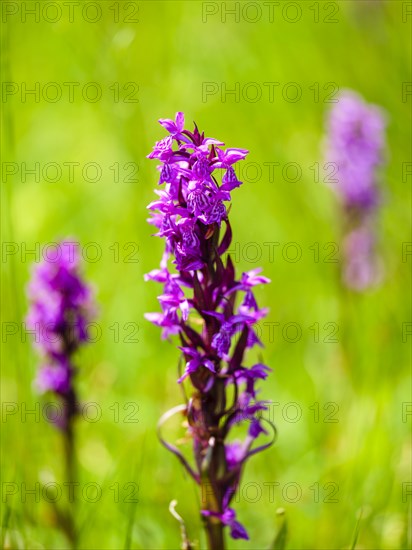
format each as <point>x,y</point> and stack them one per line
<point>212,311</point>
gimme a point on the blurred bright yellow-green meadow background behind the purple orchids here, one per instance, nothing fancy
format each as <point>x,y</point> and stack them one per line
<point>342,388</point>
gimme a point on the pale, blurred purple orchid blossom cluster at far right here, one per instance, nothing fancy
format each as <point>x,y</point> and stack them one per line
<point>356,146</point>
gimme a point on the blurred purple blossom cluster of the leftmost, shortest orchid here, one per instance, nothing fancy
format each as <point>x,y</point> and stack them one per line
<point>61,308</point>
